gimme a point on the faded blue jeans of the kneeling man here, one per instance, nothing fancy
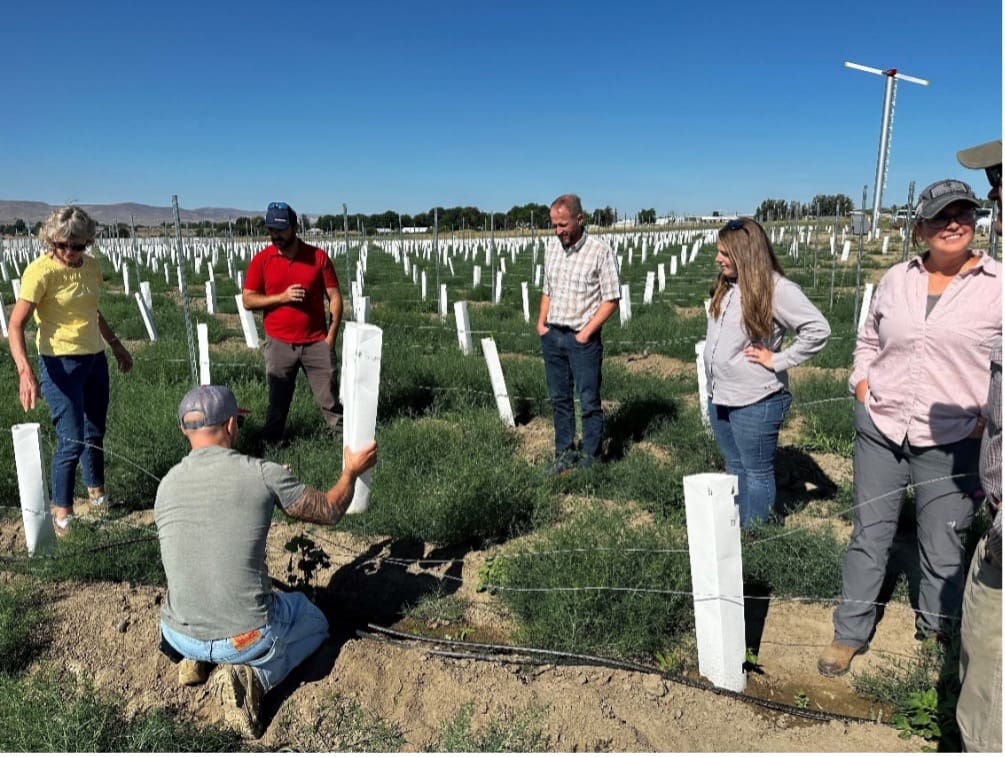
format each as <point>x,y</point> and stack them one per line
<point>295,630</point>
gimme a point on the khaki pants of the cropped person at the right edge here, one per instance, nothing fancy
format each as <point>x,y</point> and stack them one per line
<point>979,710</point>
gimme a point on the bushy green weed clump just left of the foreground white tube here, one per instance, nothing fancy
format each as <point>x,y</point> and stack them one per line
<point>605,583</point>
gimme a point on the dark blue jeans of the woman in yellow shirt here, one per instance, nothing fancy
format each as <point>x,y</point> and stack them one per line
<point>77,391</point>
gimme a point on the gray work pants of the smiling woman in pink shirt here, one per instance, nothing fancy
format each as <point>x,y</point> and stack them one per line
<point>945,508</point>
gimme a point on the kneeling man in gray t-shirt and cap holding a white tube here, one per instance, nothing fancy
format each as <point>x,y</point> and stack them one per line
<point>214,512</point>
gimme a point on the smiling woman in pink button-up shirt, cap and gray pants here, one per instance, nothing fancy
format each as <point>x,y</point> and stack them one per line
<point>921,385</point>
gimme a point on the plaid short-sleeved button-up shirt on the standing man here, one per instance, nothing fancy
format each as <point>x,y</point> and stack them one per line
<point>578,280</point>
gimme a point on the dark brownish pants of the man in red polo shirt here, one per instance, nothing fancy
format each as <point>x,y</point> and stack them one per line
<point>283,362</point>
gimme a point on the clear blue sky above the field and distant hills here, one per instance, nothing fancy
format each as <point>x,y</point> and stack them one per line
<point>684,107</point>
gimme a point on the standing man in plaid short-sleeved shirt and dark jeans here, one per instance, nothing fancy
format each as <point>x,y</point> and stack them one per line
<point>580,293</point>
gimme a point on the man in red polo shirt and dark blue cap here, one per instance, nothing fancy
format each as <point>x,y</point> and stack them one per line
<point>290,281</point>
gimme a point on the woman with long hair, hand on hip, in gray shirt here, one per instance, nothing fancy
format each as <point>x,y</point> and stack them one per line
<point>753,307</point>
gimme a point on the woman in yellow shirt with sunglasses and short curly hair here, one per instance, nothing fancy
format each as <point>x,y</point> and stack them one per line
<point>61,290</point>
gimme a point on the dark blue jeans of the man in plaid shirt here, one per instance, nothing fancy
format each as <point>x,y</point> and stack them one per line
<point>568,362</point>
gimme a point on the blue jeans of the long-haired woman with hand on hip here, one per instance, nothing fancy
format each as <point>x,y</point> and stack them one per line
<point>748,438</point>
